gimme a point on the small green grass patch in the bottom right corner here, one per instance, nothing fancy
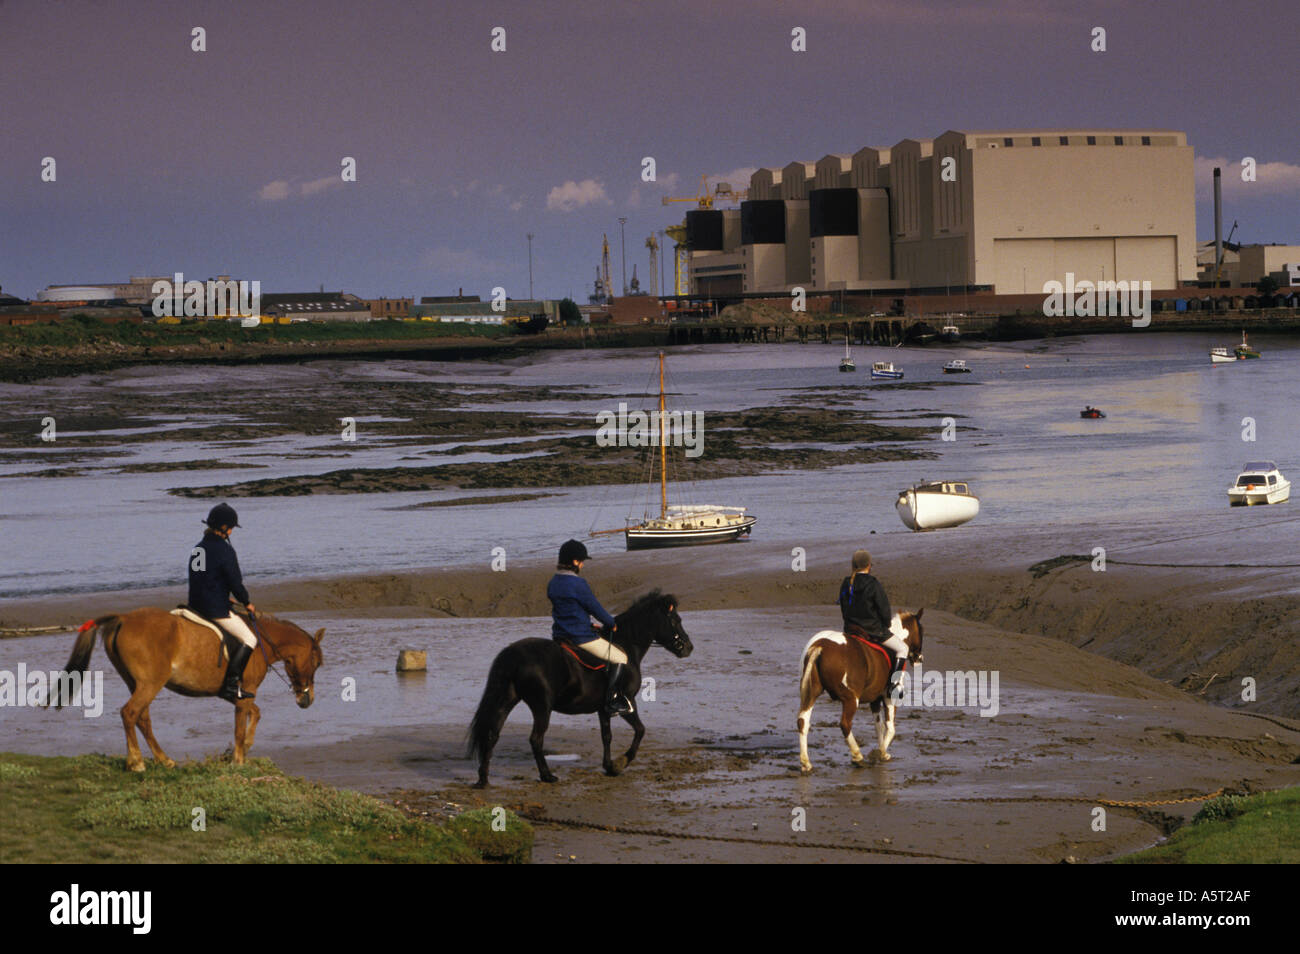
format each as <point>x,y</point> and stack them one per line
<point>1234,830</point>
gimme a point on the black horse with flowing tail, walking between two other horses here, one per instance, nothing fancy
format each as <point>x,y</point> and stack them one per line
<point>551,679</point>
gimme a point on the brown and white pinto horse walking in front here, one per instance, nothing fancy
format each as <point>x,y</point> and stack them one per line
<point>853,671</point>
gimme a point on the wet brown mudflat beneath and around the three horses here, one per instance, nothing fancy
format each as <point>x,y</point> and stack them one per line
<point>1120,719</point>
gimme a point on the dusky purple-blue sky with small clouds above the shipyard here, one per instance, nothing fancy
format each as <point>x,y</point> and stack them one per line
<point>228,162</point>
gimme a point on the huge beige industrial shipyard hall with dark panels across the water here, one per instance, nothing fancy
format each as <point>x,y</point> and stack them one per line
<point>1002,211</point>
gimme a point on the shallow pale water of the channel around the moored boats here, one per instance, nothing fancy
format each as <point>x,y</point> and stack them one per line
<point>1163,458</point>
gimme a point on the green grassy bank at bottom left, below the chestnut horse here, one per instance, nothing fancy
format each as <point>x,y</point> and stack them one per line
<point>89,809</point>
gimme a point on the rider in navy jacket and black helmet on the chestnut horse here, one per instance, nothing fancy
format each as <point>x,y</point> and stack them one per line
<point>214,578</point>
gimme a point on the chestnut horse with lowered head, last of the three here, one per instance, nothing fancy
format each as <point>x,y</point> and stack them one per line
<point>151,651</point>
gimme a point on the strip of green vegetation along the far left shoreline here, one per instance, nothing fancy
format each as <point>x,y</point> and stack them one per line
<point>80,329</point>
